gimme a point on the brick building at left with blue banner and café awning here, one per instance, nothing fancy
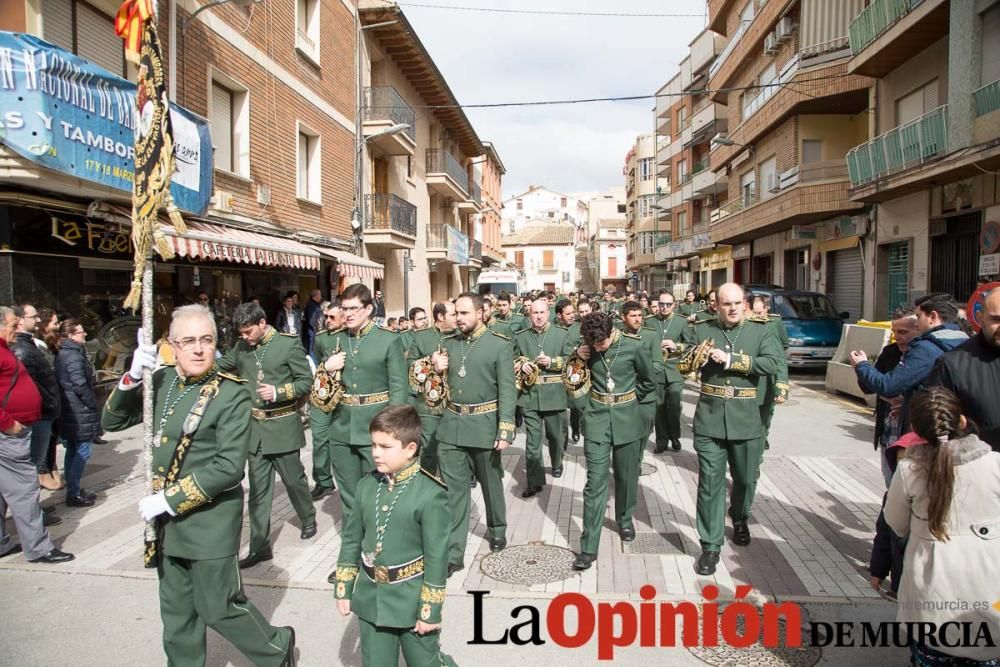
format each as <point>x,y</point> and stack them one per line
<point>277,86</point>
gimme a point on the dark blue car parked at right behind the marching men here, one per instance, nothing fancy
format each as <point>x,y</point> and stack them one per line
<point>814,326</point>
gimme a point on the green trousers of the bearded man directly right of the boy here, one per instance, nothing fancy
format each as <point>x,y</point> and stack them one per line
<point>456,471</point>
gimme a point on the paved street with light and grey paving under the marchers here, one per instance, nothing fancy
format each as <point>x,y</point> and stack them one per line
<point>817,501</point>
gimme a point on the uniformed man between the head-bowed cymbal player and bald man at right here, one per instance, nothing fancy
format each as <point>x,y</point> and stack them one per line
<point>671,329</point>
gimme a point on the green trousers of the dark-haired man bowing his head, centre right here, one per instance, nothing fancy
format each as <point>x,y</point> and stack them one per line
<point>624,460</point>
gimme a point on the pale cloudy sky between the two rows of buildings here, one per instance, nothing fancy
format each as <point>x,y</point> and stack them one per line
<point>491,57</point>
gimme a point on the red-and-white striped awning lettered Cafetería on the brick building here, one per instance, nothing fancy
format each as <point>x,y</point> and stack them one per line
<point>210,242</point>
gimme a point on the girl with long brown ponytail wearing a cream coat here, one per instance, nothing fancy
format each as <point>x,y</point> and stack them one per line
<point>944,499</point>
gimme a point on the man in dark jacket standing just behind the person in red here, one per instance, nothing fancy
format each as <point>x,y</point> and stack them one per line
<point>42,374</point>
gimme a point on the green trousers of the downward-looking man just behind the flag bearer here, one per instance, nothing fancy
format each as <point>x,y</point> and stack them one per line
<point>262,466</point>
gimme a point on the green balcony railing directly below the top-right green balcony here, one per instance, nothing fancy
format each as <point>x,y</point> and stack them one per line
<point>905,146</point>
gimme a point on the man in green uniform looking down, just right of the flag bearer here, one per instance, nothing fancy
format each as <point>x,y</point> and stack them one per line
<point>277,374</point>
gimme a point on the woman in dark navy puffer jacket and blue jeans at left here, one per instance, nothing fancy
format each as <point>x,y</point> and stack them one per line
<point>80,421</point>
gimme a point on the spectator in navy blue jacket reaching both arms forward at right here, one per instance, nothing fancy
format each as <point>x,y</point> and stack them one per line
<point>937,333</point>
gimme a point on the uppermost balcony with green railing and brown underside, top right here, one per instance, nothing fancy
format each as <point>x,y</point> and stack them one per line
<point>887,33</point>
